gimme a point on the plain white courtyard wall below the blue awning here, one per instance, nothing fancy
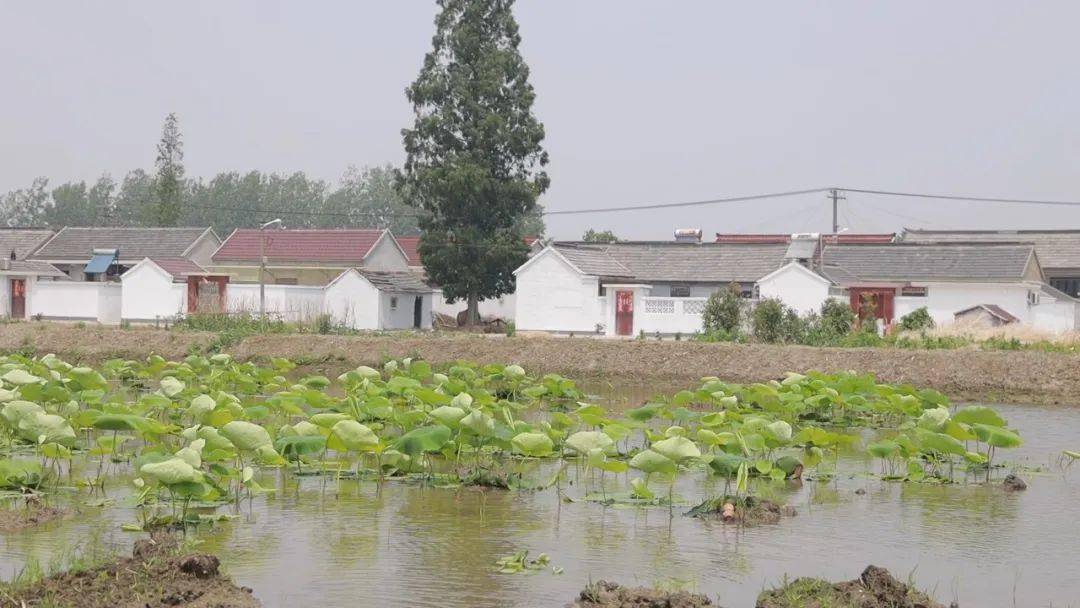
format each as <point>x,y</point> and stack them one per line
<point>76,301</point>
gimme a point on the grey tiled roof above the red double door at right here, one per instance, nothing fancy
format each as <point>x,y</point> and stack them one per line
<point>957,262</point>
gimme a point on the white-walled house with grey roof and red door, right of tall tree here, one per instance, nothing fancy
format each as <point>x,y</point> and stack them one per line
<point>633,288</point>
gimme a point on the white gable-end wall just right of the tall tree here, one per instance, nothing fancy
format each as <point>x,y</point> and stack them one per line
<point>553,298</point>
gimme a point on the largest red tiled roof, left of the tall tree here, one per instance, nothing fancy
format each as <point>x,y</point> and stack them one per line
<point>346,246</point>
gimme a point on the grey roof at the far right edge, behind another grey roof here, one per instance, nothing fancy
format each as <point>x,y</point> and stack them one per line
<point>1057,249</point>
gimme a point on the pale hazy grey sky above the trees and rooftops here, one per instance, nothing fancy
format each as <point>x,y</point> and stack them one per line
<point>643,102</point>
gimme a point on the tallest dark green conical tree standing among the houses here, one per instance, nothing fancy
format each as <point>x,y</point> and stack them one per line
<point>474,157</point>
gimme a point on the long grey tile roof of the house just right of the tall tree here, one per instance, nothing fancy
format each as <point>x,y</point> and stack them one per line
<point>671,262</point>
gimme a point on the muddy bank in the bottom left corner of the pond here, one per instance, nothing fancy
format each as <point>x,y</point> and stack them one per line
<point>156,575</point>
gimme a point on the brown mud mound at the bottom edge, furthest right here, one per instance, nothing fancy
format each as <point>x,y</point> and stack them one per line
<point>875,589</point>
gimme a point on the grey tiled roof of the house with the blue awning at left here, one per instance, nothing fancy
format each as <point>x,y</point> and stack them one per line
<point>134,244</point>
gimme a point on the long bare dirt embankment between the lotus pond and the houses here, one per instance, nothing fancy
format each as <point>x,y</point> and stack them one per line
<point>965,374</point>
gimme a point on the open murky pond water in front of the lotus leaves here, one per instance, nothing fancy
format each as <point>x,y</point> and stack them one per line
<point>320,543</point>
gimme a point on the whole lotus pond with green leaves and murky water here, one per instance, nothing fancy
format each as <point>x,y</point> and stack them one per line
<point>489,487</point>
